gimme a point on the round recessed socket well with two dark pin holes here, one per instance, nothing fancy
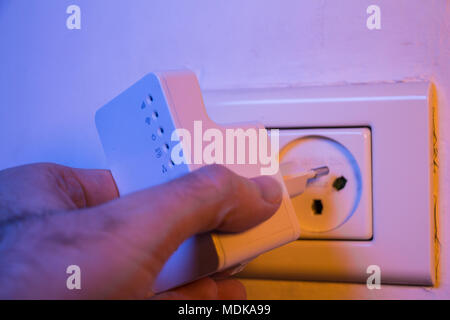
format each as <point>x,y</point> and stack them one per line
<point>330,201</point>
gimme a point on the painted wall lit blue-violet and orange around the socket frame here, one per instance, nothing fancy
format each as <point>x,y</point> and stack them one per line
<point>53,79</point>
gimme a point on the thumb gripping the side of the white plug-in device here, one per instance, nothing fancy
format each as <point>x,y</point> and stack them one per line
<point>159,219</point>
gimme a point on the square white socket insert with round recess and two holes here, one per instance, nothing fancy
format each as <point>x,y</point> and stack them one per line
<point>338,205</point>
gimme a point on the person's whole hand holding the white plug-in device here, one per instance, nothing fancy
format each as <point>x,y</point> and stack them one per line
<point>52,216</point>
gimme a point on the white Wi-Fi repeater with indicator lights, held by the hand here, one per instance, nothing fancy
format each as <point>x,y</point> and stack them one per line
<point>135,129</point>
